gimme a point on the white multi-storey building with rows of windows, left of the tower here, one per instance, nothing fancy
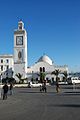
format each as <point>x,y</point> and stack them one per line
<point>6,65</point>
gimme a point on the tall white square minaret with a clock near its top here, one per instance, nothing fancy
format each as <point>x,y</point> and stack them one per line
<point>20,51</point>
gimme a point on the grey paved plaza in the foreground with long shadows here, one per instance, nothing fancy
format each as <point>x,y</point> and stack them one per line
<point>30,104</point>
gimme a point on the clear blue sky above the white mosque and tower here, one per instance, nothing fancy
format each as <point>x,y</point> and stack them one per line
<point>53,28</point>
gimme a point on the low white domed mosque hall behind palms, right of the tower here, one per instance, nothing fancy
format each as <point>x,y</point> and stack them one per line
<point>47,66</point>
